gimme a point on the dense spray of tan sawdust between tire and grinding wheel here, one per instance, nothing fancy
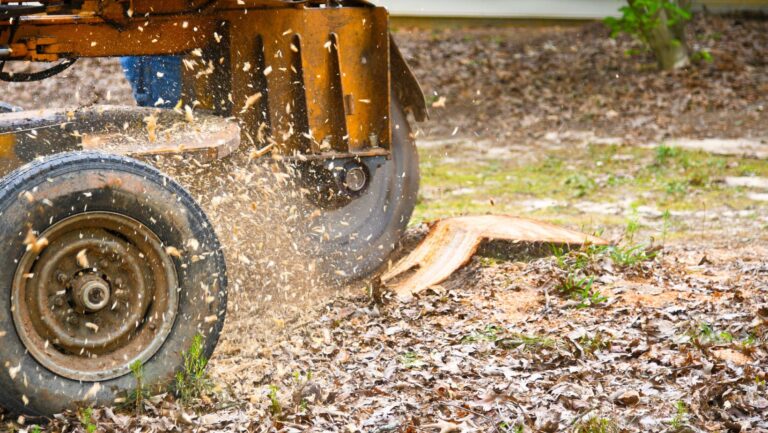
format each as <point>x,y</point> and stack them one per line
<point>260,214</point>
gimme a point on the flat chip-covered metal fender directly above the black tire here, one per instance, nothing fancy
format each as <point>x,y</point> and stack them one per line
<point>120,130</point>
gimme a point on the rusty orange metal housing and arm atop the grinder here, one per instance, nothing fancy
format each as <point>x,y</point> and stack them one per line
<point>311,80</point>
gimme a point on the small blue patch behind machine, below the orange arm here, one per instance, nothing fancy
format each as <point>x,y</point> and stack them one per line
<point>155,80</point>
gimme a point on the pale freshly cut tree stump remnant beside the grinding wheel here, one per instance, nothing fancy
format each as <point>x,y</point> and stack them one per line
<point>451,243</point>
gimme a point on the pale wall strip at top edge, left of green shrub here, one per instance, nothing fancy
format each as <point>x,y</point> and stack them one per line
<point>578,9</point>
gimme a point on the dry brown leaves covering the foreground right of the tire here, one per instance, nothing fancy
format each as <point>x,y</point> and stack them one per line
<point>454,360</point>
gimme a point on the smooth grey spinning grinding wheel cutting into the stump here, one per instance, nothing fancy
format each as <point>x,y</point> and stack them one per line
<point>376,221</point>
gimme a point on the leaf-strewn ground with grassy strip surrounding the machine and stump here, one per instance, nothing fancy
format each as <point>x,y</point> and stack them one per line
<point>664,332</point>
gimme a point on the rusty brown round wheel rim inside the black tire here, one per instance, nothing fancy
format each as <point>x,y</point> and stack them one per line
<point>102,295</point>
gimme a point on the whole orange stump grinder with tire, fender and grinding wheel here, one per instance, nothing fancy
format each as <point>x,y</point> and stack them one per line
<point>106,262</point>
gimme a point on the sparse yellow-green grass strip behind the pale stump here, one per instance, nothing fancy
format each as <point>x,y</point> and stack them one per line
<point>459,181</point>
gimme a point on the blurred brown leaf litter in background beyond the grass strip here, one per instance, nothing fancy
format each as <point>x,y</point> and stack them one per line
<point>520,83</point>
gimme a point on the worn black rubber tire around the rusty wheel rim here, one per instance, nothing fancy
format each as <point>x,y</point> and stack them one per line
<point>59,185</point>
